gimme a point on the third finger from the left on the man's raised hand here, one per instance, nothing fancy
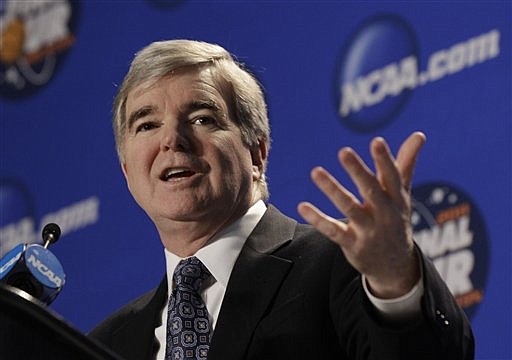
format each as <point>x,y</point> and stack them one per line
<point>364,179</point>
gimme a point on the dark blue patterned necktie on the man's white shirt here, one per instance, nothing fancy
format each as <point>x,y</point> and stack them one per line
<point>188,327</point>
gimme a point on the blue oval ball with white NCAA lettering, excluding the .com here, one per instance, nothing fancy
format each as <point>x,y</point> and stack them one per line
<point>377,72</point>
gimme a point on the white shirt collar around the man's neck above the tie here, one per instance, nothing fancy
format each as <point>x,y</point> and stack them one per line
<point>220,253</point>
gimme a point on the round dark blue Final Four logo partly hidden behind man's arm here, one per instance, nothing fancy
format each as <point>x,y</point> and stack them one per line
<point>450,230</point>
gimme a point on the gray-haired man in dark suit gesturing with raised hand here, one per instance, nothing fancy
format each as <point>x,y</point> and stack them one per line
<point>192,136</point>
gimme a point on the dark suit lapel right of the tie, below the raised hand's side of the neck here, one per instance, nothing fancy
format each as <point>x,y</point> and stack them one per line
<point>256,278</point>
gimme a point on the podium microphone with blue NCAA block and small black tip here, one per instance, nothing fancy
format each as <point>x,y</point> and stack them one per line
<point>34,269</point>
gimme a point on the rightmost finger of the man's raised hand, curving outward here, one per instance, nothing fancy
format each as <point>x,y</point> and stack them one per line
<point>407,156</point>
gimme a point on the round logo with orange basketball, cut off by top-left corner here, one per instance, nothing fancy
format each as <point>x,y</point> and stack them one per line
<point>35,37</point>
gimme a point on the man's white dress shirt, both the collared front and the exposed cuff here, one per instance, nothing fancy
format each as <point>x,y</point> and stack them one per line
<point>219,256</point>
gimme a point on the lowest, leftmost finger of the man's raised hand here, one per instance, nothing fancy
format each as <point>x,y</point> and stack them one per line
<point>334,229</point>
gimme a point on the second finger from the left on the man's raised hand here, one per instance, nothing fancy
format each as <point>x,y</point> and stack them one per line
<point>342,199</point>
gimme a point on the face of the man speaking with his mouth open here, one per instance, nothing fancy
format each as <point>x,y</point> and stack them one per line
<point>184,159</point>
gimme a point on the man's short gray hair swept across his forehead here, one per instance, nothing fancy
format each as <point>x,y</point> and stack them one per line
<point>245,96</point>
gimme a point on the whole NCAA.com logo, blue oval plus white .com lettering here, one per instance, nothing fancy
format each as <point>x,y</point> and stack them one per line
<point>379,69</point>
